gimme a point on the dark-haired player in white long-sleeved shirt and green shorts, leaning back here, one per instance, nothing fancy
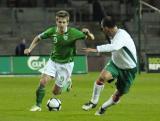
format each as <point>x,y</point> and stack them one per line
<point>122,65</point>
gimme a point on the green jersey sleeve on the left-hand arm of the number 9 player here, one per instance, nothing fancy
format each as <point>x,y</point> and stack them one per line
<point>46,34</point>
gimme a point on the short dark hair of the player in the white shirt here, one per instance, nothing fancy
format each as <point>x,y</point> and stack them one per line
<point>108,21</point>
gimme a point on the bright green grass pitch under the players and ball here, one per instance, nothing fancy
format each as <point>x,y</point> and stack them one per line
<point>142,103</point>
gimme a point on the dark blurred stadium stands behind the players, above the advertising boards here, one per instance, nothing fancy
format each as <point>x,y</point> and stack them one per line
<point>21,20</point>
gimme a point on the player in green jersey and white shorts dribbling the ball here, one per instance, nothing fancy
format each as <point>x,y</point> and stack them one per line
<point>60,64</point>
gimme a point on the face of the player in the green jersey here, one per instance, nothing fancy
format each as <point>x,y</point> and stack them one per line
<point>62,23</point>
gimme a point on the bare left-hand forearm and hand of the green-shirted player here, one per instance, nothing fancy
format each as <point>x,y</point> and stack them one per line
<point>32,46</point>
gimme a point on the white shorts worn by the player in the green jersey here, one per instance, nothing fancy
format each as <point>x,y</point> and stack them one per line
<point>61,72</point>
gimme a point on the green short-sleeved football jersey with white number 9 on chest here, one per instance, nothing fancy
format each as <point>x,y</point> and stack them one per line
<point>63,49</point>
